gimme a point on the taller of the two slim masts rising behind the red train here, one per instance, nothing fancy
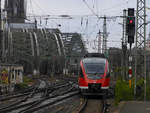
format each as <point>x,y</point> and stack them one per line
<point>104,46</point>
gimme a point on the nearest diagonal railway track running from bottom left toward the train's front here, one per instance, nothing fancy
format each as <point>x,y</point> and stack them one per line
<point>37,104</point>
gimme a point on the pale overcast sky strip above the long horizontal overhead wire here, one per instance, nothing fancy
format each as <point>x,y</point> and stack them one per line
<point>78,7</point>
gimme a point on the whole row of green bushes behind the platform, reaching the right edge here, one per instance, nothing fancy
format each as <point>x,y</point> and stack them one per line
<point>123,92</point>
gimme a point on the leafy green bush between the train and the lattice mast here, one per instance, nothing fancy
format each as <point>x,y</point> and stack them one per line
<point>122,91</point>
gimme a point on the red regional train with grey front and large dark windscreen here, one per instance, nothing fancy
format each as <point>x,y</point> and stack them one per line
<point>94,75</point>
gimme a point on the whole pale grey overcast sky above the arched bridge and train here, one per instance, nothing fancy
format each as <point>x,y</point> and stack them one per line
<point>78,9</point>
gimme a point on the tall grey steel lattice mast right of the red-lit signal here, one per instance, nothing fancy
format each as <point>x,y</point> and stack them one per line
<point>140,39</point>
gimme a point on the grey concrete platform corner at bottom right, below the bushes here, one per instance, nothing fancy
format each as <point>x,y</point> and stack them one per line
<point>135,107</point>
